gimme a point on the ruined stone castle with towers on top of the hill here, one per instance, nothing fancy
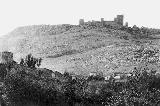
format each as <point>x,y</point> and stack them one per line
<point>117,21</point>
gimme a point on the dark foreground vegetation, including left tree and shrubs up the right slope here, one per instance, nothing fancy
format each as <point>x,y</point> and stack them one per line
<point>25,86</point>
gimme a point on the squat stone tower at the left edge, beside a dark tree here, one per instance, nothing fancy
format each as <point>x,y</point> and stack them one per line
<point>6,57</point>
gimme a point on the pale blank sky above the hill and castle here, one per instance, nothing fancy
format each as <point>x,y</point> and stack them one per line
<point>15,13</point>
